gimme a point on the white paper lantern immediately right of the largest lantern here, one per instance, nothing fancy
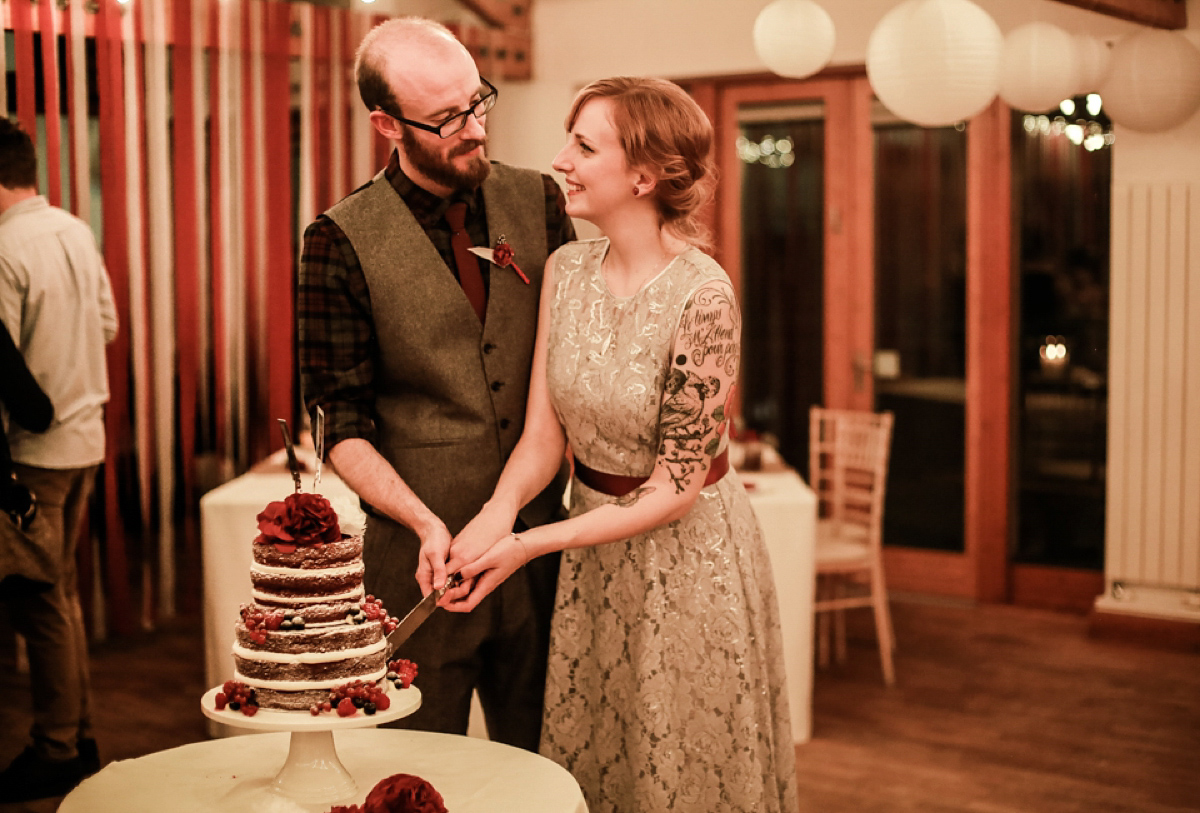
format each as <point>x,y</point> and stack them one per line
<point>1039,68</point>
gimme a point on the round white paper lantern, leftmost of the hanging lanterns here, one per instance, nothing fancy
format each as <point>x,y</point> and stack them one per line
<point>794,38</point>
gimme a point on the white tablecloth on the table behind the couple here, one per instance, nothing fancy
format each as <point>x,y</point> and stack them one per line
<point>785,505</point>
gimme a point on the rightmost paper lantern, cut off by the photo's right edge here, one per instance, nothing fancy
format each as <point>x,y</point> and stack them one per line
<point>1154,81</point>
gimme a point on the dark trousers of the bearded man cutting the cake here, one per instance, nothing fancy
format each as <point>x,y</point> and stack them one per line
<point>499,651</point>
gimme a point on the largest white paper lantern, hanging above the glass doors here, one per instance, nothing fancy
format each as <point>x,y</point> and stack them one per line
<point>935,63</point>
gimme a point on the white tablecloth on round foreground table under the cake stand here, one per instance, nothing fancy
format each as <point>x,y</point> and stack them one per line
<point>232,775</point>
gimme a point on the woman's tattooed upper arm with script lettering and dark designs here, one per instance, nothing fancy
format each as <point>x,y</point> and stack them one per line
<point>692,418</point>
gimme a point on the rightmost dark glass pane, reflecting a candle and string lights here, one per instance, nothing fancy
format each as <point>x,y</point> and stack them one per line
<point>1061,196</point>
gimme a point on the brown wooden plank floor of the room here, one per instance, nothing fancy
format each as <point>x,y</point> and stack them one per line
<point>995,710</point>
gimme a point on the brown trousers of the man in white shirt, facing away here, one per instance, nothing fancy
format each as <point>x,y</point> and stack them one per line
<point>51,619</point>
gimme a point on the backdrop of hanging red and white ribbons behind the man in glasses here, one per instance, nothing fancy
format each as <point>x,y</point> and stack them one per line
<point>177,133</point>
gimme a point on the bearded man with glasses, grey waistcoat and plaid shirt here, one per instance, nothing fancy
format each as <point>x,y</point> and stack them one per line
<point>419,354</point>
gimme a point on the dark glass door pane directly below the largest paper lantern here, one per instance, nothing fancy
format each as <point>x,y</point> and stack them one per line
<point>921,327</point>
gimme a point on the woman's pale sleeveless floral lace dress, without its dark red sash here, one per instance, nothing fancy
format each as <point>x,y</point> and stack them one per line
<point>667,688</point>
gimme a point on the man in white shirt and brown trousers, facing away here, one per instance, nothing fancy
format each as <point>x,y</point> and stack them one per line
<point>57,303</point>
